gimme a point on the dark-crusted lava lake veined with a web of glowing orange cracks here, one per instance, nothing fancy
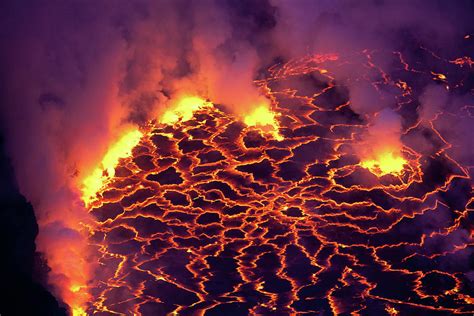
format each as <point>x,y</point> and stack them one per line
<point>210,214</point>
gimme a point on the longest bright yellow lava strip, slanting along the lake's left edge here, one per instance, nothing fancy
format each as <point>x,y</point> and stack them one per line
<point>122,148</point>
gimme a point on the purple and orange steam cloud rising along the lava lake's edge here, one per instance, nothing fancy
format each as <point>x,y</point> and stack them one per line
<point>77,73</point>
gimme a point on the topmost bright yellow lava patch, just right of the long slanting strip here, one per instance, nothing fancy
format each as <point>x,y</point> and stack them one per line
<point>183,110</point>
